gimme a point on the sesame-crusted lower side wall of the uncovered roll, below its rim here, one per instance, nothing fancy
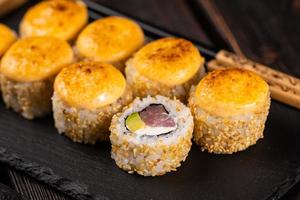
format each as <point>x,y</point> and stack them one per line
<point>151,160</point>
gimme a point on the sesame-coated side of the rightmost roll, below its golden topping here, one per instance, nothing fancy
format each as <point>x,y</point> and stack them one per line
<point>227,135</point>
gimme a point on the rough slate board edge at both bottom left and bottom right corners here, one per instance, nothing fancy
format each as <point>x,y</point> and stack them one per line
<point>80,191</point>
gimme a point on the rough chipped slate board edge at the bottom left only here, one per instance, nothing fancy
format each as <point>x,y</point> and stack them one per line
<point>46,175</point>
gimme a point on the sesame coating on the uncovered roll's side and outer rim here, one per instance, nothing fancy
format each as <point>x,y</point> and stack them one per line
<point>150,158</point>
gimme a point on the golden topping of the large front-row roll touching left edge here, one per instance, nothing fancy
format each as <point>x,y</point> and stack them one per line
<point>36,58</point>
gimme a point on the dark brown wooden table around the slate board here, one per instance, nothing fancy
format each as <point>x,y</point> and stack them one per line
<point>263,30</point>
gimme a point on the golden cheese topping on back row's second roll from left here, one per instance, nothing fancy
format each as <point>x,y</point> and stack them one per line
<point>110,39</point>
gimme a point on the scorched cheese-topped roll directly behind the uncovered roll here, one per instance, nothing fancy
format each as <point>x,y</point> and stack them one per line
<point>167,67</point>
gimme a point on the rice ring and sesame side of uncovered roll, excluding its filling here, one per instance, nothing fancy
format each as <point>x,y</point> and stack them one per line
<point>156,154</point>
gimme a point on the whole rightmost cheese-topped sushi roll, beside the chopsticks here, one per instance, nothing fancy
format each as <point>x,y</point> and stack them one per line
<point>230,108</point>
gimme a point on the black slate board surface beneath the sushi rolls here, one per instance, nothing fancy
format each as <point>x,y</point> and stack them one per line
<point>87,172</point>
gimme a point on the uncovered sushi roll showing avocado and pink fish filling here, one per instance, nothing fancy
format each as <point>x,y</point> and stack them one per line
<point>152,136</point>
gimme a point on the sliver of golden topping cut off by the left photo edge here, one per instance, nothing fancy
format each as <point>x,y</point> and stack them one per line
<point>7,37</point>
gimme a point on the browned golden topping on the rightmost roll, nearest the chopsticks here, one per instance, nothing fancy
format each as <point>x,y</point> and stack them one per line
<point>231,91</point>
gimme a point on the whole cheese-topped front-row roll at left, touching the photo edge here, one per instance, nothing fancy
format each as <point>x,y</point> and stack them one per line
<point>28,69</point>
